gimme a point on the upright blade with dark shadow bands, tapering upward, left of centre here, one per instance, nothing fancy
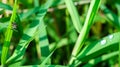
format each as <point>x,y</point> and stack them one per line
<point>43,42</point>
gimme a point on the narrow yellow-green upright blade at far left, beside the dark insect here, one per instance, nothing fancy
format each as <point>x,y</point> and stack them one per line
<point>8,35</point>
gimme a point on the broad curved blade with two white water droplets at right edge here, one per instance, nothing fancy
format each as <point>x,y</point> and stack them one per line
<point>99,47</point>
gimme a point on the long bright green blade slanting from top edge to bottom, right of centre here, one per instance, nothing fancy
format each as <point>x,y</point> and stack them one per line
<point>88,22</point>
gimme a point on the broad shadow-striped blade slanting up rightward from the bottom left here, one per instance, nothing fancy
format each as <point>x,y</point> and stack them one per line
<point>27,37</point>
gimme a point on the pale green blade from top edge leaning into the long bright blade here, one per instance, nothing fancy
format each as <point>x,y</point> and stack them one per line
<point>74,15</point>
